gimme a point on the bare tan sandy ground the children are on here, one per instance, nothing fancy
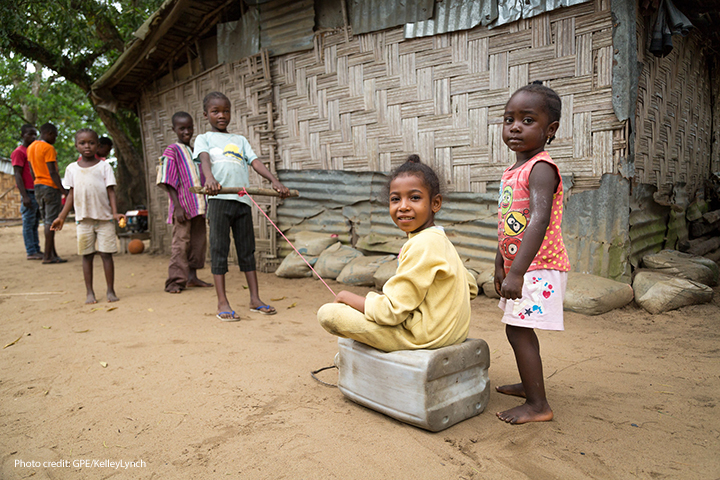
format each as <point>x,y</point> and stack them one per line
<point>156,379</point>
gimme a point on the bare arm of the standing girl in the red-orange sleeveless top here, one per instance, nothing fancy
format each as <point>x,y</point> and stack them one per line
<point>543,183</point>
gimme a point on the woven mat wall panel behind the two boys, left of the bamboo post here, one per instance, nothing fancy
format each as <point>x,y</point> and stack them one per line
<point>247,84</point>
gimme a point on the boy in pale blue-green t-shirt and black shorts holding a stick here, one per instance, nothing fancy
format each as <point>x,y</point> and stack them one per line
<point>225,159</point>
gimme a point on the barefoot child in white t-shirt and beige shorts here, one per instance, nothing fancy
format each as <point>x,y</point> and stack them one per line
<point>92,193</point>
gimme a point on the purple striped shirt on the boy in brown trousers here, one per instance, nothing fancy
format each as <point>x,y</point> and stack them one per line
<point>178,170</point>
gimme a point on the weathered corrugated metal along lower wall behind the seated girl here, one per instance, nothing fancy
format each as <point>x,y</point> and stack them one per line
<point>351,205</point>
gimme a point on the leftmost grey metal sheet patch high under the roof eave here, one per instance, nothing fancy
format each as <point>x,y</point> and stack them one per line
<point>240,39</point>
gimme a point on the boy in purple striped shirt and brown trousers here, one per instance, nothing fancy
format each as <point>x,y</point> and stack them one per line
<point>186,212</point>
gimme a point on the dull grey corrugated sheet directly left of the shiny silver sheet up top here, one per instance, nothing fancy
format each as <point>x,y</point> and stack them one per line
<point>373,15</point>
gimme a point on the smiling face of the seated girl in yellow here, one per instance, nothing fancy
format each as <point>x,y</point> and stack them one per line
<point>411,207</point>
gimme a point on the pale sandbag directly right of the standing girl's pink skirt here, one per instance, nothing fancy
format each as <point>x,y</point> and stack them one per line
<point>593,295</point>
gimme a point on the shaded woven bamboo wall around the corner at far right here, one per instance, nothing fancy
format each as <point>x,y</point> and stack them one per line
<point>673,115</point>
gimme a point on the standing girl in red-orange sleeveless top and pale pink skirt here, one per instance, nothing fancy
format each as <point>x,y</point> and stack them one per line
<point>531,264</point>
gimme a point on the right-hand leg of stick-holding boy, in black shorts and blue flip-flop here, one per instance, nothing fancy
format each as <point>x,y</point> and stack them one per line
<point>244,235</point>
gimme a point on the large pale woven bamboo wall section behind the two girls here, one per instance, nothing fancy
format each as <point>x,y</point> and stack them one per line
<point>366,103</point>
